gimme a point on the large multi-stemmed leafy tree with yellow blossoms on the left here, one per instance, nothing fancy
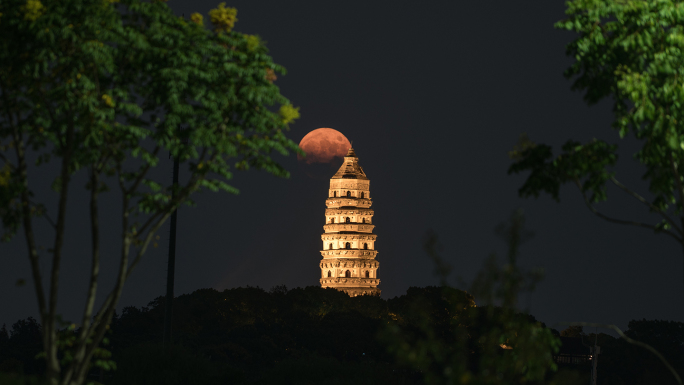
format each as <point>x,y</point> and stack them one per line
<point>103,87</point>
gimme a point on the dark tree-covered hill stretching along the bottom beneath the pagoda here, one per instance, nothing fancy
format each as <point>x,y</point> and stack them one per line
<point>314,335</point>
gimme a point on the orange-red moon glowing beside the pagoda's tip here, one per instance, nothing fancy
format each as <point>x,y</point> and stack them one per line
<point>322,145</point>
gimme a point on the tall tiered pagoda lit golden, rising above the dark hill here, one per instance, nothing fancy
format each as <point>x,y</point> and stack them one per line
<point>349,251</point>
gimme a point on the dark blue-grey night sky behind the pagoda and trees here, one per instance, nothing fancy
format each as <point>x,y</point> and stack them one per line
<point>433,94</point>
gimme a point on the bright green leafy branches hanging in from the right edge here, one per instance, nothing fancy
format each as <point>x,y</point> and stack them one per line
<point>630,51</point>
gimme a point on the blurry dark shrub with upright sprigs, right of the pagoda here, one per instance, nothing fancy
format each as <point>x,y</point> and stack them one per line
<point>491,344</point>
